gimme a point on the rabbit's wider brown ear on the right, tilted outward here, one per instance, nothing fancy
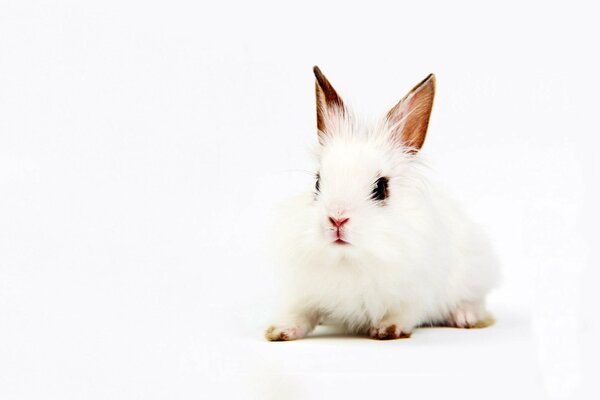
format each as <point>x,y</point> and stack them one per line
<point>408,120</point>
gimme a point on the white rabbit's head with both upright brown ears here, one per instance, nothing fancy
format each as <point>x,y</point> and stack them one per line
<point>366,175</point>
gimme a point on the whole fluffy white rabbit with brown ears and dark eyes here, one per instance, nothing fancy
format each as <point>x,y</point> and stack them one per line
<point>375,247</point>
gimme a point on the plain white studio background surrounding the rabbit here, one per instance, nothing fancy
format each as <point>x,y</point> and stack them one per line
<point>143,144</point>
